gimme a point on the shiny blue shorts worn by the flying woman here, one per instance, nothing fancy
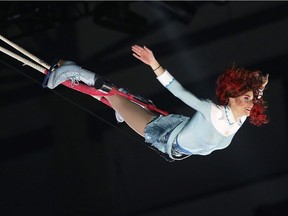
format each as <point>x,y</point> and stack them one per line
<point>157,133</point>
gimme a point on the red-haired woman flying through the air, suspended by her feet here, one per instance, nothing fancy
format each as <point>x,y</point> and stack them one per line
<point>211,128</point>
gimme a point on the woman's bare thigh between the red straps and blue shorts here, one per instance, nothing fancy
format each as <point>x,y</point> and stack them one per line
<point>134,115</point>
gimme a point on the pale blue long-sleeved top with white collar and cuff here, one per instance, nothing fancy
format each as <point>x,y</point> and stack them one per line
<point>212,127</point>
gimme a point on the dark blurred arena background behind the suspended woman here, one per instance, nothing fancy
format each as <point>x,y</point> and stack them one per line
<point>62,152</point>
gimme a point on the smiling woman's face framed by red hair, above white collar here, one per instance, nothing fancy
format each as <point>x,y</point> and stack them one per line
<point>242,105</point>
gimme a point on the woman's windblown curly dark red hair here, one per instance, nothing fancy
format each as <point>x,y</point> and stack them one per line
<point>235,82</point>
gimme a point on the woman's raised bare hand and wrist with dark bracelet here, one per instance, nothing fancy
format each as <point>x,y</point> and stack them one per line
<point>146,56</point>
